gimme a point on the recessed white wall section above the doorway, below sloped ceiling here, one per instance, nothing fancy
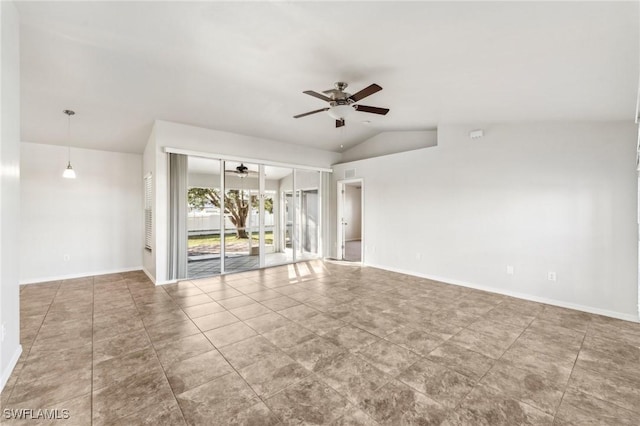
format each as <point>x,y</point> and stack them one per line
<point>390,143</point>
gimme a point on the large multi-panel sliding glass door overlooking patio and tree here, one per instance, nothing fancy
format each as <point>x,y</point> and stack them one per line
<point>244,216</point>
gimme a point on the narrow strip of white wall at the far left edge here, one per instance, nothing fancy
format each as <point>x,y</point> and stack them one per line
<point>10,348</point>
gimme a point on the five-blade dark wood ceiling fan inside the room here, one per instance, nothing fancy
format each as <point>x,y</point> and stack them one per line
<point>341,103</point>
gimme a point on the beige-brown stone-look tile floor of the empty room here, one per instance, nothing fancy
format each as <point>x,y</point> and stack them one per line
<point>316,343</point>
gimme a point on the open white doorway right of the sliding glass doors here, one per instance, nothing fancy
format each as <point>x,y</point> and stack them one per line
<point>350,223</point>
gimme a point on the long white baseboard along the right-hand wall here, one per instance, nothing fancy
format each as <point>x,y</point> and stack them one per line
<point>525,296</point>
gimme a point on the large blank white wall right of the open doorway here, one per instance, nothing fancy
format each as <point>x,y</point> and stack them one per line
<point>540,197</point>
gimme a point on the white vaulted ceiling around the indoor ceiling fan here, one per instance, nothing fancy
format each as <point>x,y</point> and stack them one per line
<point>242,66</point>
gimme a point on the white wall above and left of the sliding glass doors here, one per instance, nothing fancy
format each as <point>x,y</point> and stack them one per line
<point>174,135</point>
